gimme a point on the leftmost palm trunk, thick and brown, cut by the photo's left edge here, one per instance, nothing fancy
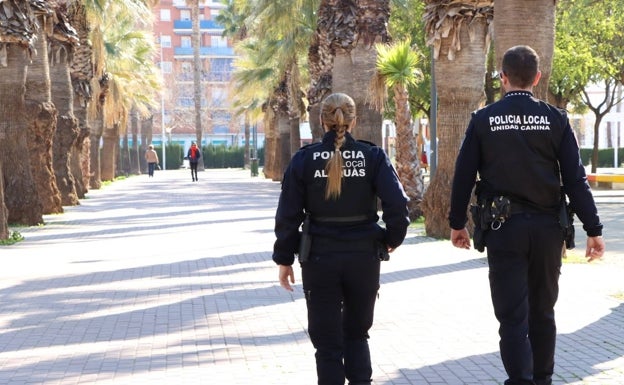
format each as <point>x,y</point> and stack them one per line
<point>18,31</point>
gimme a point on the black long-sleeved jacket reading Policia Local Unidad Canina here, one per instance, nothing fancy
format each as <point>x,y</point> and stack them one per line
<point>525,149</point>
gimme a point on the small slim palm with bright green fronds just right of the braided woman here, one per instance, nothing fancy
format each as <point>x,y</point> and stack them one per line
<point>396,66</point>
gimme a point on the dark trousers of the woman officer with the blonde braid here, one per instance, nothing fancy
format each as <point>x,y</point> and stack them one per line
<point>340,291</point>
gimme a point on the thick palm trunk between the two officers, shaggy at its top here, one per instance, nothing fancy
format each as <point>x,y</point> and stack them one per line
<point>459,34</point>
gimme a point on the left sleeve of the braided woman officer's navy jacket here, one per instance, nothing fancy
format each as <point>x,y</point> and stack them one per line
<point>290,214</point>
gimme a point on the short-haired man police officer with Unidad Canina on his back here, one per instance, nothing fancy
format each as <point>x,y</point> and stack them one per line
<point>525,153</point>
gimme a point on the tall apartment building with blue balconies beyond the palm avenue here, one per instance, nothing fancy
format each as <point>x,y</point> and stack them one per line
<point>176,121</point>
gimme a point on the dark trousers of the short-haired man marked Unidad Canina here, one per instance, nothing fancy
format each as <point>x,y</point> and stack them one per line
<point>524,258</point>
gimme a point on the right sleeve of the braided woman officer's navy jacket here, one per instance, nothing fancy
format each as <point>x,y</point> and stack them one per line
<point>393,200</point>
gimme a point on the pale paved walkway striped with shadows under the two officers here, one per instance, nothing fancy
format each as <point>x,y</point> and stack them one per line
<point>166,281</point>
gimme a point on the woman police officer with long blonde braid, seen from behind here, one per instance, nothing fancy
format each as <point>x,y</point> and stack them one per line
<point>337,183</point>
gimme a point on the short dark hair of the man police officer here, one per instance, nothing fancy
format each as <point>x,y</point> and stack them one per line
<point>520,65</point>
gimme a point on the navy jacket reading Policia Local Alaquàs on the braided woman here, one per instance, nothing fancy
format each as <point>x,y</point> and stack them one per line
<point>367,175</point>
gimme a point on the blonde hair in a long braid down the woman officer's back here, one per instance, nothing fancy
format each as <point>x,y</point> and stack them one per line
<point>337,114</point>
